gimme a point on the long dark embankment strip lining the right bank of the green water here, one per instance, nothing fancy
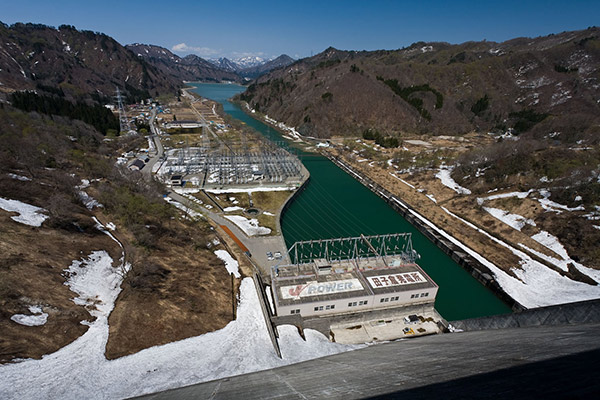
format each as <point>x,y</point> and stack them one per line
<point>466,261</point>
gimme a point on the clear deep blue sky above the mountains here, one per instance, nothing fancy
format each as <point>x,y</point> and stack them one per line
<point>268,28</point>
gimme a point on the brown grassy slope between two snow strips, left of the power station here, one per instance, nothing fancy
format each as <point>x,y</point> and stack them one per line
<point>177,290</point>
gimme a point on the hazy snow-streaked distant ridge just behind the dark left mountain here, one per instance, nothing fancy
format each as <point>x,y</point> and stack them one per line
<point>188,68</point>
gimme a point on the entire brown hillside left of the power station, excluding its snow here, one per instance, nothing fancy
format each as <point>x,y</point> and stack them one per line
<point>176,287</point>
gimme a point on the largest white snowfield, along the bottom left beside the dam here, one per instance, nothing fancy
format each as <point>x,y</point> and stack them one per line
<point>80,370</point>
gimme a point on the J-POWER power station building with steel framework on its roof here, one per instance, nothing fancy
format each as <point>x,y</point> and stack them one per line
<point>351,275</point>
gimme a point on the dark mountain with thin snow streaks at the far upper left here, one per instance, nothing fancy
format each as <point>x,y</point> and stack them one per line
<point>75,63</point>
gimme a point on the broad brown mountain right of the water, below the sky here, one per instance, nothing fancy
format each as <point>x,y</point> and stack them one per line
<point>546,84</point>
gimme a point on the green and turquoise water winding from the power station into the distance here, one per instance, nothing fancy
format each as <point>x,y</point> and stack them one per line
<point>336,205</point>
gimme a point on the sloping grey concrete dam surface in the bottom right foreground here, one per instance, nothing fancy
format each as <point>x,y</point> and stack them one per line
<point>546,362</point>
